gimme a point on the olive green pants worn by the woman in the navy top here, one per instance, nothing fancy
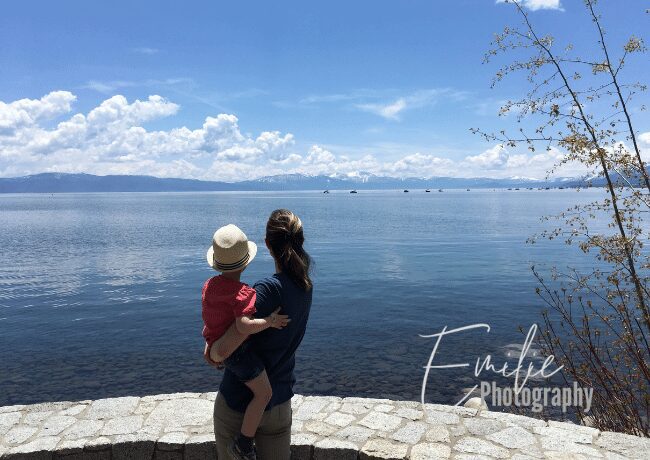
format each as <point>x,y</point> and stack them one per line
<point>273,437</point>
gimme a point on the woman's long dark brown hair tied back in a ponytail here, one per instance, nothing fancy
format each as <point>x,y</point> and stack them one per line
<point>285,238</point>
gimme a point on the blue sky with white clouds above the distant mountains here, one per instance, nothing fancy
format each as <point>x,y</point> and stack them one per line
<point>249,88</point>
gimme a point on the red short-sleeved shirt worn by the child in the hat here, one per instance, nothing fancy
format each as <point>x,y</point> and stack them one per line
<point>223,300</point>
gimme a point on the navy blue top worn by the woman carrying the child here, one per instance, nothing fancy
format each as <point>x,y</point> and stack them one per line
<point>276,347</point>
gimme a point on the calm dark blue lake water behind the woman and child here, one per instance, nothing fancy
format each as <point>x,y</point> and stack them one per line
<point>100,293</point>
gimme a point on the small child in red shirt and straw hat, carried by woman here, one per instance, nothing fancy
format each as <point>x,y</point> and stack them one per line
<point>226,300</point>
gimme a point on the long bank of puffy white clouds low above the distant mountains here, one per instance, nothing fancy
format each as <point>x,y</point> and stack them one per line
<point>113,138</point>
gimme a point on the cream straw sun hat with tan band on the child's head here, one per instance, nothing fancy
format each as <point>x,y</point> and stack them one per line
<point>230,251</point>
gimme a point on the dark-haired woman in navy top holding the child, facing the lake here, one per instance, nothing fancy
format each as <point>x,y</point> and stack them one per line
<point>290,288</point>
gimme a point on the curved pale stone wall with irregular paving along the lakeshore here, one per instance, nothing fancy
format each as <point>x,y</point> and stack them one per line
<point>179,427</point>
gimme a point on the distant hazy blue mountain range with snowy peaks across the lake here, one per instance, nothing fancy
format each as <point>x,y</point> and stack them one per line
<point>63,182</point>
